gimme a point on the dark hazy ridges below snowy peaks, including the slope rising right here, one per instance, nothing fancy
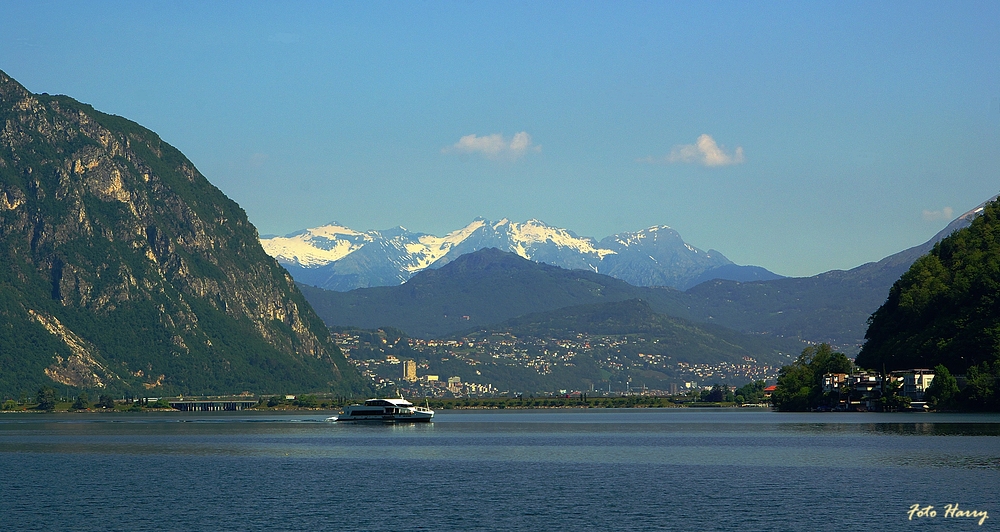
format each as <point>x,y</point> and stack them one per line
<point>485,288</point>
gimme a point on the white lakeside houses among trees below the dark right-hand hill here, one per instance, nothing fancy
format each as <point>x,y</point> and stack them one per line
<point>864,390</point>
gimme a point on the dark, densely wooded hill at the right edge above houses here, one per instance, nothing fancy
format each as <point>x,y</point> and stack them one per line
<point>945,311</point>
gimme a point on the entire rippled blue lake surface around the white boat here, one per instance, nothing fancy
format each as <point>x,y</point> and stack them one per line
<point>632,469</point>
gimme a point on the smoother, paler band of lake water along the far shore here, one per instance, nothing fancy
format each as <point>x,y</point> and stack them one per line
<point>607,436</point>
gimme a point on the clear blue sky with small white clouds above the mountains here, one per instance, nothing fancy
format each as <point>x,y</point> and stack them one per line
<point>798,136</point>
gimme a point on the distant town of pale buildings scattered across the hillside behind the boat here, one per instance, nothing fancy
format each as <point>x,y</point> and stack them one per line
<point>632,361</point>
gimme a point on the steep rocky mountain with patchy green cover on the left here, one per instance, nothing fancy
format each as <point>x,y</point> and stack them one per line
<point>145,274</point>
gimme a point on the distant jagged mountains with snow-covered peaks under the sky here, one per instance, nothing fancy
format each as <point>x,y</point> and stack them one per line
<point>335,257</point>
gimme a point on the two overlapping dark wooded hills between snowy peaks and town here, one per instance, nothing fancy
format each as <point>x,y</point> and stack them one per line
<point>493,290</point>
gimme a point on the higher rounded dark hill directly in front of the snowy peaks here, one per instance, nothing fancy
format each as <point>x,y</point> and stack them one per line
<point>474,290</point>
